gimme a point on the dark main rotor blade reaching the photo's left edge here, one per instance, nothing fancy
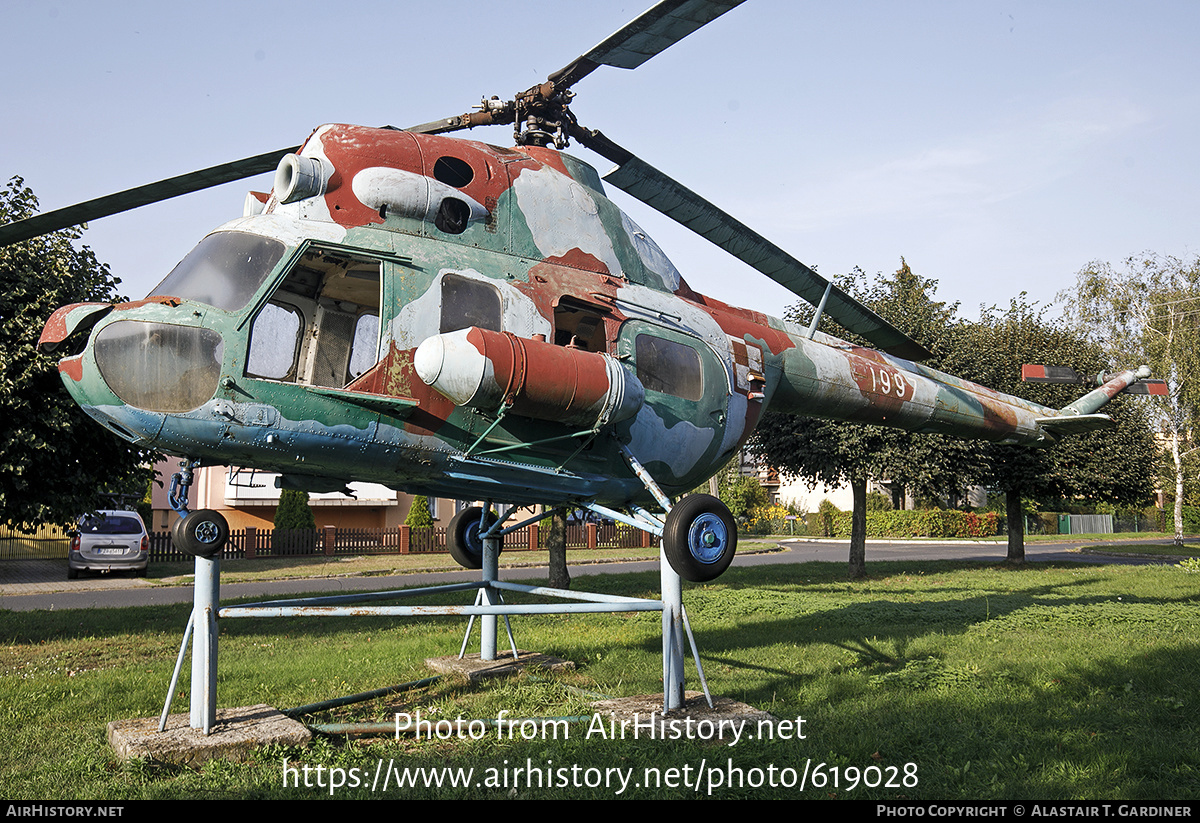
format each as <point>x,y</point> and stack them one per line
<point>141,196</point>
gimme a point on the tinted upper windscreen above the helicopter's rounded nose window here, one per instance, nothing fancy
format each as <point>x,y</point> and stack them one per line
<point>224,271</point>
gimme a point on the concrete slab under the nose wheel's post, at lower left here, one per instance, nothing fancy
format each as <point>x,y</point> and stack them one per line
<point>237,732</point>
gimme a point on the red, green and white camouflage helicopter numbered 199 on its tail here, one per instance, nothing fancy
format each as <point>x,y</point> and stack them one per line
<point>453,319</point>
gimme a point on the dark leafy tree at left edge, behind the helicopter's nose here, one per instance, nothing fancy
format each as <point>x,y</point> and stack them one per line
<point>55,461</point>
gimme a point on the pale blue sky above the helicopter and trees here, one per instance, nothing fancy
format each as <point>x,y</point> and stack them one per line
<point>998,147</point>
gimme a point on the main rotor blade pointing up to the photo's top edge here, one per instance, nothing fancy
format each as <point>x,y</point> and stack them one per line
<point>640,40</point>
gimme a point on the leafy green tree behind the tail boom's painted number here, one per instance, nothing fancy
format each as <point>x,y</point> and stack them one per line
<point>845,453</point>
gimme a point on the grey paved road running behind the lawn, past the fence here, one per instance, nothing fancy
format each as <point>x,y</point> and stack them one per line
<point>40,585</point>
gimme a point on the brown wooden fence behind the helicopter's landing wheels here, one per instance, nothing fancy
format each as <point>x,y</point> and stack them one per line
<point>333,542</point>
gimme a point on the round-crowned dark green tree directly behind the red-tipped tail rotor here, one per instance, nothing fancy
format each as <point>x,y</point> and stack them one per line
<point>1114,466</point>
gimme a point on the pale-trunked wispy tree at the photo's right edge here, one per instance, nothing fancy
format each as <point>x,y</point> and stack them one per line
<point>1147,314</point>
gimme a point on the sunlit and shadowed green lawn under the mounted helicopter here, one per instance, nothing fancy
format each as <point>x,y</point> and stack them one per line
<point>1051,682</point>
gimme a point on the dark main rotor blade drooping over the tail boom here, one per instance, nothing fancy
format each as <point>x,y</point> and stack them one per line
<point>686,207</point>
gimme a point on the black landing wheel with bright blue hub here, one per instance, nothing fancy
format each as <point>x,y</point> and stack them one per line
<point>700,538</point>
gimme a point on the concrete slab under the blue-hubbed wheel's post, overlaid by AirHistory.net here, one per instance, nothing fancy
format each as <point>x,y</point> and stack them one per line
<point>725,720</point>
